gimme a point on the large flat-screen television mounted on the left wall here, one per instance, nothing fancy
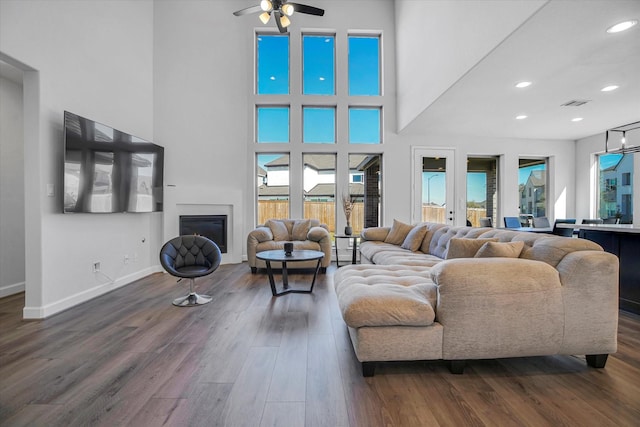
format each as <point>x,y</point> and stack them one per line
<point>108,171</point>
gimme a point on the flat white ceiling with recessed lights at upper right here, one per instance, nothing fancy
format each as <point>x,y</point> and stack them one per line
<point>565,51</point>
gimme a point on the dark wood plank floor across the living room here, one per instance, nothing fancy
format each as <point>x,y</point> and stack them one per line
<point>247,359</point>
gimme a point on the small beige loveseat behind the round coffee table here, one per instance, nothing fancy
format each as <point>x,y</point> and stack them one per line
<point>303,233</point>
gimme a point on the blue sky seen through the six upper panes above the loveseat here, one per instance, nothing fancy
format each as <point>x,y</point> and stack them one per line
<point>318,79</point>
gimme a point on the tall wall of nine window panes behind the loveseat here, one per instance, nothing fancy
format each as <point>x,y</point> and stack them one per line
<point>309,117</point>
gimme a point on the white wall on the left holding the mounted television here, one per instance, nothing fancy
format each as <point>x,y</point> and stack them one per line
<point>95,59</point>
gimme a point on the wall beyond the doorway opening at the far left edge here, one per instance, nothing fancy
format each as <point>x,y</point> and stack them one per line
<point>12,237</point>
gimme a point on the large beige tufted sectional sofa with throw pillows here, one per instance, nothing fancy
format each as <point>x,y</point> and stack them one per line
<point>433,291</point>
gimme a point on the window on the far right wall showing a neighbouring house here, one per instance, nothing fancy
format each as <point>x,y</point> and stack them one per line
<point>615,187</point>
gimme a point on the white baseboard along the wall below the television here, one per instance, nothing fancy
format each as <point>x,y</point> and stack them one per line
<point>84,296</point>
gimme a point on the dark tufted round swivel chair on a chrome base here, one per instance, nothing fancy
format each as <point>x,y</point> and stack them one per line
<point>188,257</point>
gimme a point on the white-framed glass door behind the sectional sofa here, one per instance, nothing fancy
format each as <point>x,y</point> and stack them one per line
<point>433,186</point>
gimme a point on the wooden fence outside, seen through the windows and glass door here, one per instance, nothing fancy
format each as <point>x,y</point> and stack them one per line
<point>325,212</point>
